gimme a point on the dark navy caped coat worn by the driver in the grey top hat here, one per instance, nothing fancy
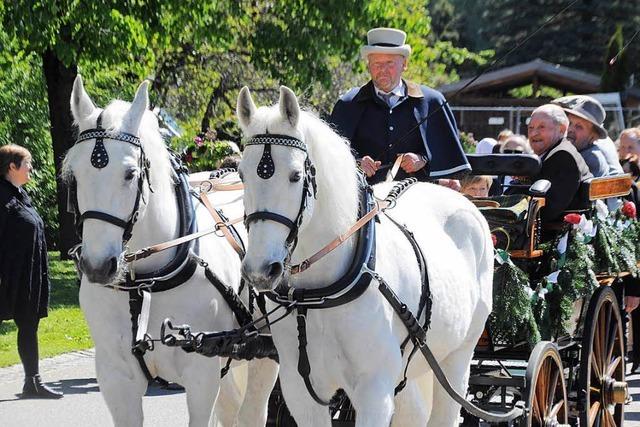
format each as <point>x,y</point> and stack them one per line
<point>375,130</point>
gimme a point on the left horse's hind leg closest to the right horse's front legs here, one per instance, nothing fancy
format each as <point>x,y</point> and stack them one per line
<point>262,376</point>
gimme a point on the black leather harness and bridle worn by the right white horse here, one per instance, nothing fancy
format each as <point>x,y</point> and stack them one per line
<point>358,277</point>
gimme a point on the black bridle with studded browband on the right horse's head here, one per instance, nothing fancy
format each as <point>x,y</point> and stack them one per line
<point>266,169</point>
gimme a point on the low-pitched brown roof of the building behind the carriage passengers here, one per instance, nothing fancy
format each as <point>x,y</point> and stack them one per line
<point>536,71</point>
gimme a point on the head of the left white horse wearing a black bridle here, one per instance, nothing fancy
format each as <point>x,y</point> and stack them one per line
<point>107,165</point>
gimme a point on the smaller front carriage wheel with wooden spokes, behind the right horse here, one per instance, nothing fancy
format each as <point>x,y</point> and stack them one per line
<point>546,392</point>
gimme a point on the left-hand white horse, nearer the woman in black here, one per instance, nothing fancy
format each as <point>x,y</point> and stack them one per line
<point>113,189</point>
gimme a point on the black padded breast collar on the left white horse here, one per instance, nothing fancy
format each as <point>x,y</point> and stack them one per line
<point>184,263</point>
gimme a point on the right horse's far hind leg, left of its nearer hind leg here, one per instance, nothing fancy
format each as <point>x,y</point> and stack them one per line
<point>411,404</point>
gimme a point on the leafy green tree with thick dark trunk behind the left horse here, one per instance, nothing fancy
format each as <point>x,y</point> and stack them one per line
<point>63,33</point>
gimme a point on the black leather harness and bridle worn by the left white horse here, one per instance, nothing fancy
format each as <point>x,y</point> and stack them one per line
<point>183,265</point>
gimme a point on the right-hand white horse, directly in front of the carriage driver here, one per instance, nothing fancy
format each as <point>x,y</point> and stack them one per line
<point>355,346</point>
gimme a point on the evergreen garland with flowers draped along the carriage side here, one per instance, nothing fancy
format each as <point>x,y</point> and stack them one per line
<point>533,311</point>
